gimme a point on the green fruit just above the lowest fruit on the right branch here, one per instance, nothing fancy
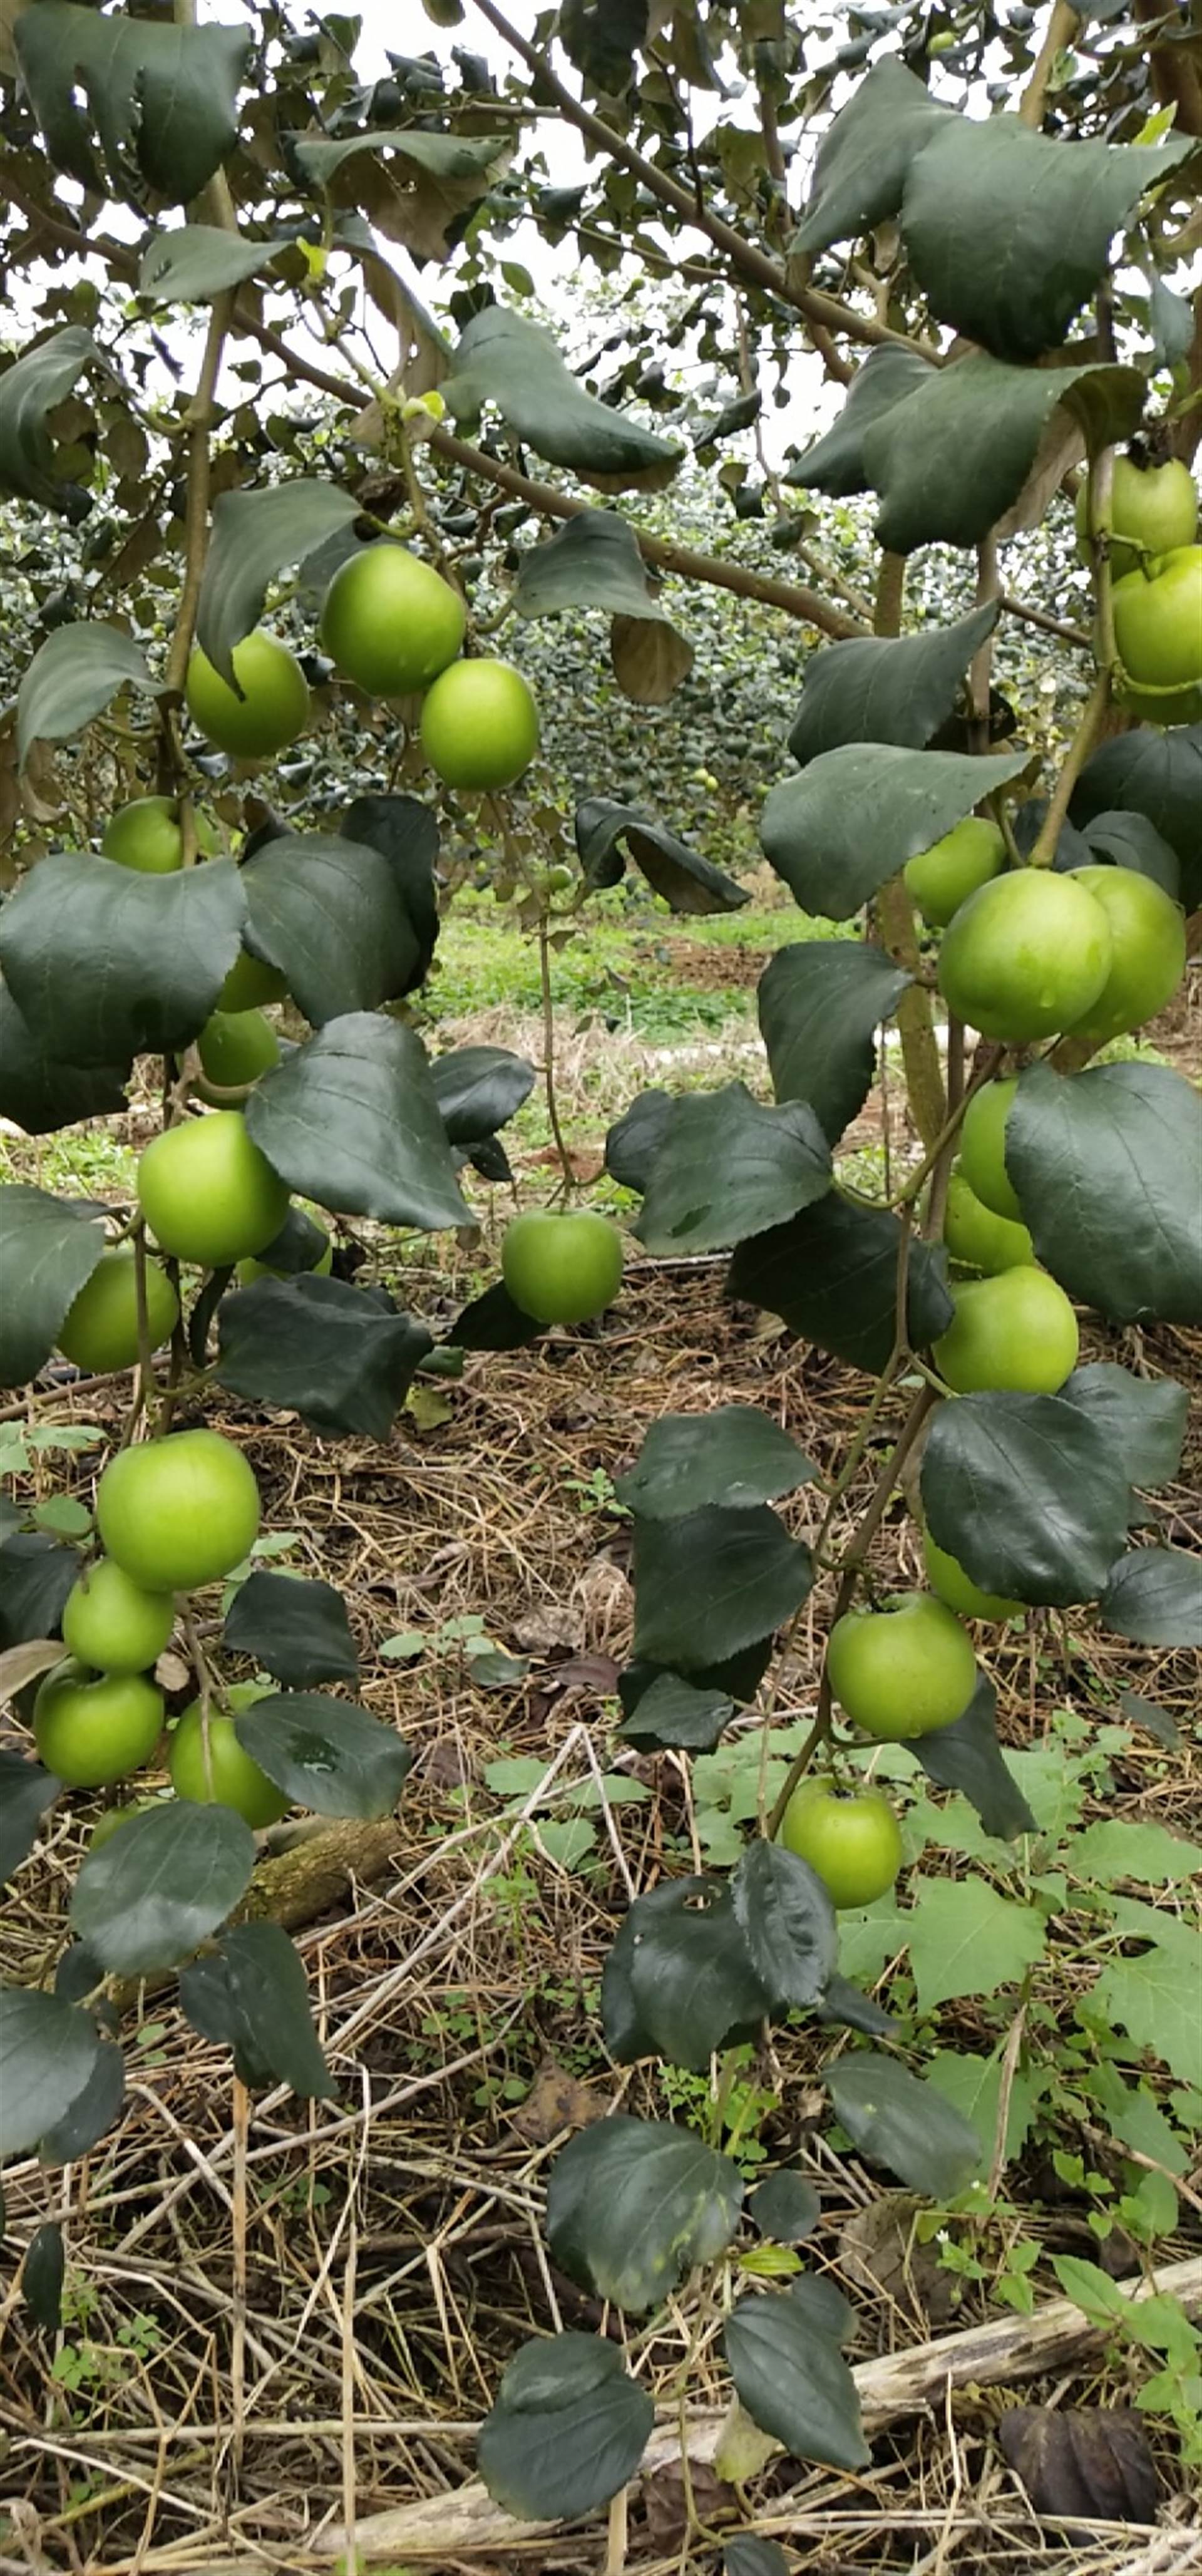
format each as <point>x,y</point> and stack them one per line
<point>902,1673</point>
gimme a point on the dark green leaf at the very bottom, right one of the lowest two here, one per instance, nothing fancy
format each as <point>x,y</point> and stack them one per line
<point>794,2382</point>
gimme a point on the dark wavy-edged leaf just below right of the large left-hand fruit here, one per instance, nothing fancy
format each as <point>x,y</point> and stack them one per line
<point>338,1356</point>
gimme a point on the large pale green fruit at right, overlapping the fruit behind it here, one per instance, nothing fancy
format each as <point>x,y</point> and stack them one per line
<point>1026,957</point>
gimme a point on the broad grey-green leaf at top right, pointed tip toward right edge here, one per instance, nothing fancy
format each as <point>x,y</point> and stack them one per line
<point>1008,233</point>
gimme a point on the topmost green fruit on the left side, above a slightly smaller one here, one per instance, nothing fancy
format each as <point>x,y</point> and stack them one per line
<point>390,622</point>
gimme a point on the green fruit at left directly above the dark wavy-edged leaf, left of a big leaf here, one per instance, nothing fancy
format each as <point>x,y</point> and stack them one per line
<point>207,1191</point>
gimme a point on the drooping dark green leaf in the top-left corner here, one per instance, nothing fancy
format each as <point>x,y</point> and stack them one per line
<point>163,97</point>
